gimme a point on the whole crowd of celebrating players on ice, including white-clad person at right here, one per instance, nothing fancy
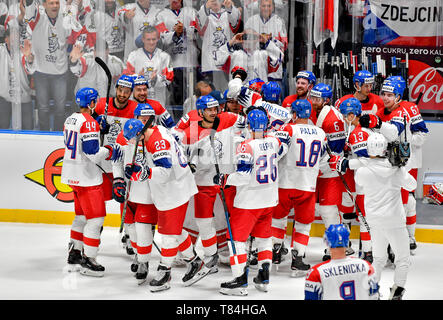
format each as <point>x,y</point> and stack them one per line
<point>263,159</point>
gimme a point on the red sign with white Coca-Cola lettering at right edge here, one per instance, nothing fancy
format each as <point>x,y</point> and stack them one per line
<point>426,79</point>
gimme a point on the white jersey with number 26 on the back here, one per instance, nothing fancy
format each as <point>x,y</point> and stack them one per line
<point>257,174</point>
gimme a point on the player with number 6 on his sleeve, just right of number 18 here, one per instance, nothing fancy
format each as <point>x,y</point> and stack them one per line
<point>329,185</point>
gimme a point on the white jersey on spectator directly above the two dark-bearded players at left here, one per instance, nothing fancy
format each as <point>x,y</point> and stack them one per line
<point>144,63</point>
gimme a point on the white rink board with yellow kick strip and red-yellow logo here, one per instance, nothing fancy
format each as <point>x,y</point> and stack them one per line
<point>32,191</point>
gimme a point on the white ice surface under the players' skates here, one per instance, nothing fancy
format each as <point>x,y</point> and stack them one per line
<point>34,268</point>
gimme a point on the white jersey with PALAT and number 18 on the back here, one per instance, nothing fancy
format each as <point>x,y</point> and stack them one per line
<point>300,166</point>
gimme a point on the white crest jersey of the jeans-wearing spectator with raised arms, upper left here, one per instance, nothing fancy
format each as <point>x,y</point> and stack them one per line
<point>50,38</point>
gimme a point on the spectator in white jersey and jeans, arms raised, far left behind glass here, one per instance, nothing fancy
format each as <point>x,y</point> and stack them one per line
<point>51,28</point>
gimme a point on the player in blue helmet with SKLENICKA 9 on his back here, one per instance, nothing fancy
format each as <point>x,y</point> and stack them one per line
<point>342,277</point>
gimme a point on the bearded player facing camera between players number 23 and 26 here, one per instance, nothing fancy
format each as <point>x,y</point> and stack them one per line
<point>198,145</point>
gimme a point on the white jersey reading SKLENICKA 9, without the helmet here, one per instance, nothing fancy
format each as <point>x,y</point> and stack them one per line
<point>340,279</point>
